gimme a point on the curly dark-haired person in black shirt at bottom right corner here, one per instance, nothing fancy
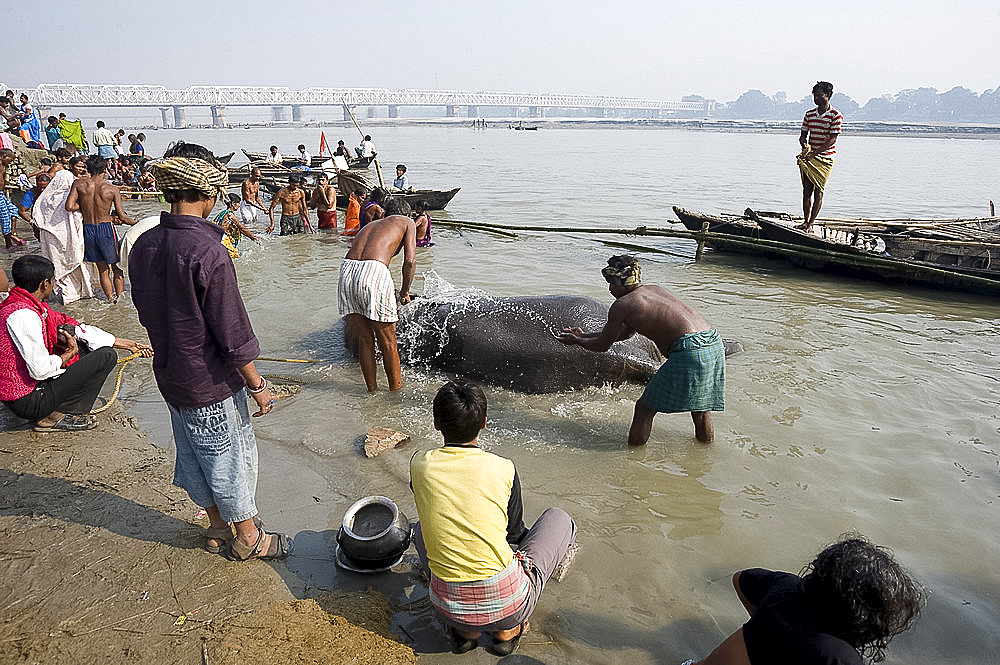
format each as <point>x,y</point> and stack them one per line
<point>853,599</point>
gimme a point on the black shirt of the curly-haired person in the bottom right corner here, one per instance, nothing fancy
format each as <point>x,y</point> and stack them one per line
<point>788,627</point>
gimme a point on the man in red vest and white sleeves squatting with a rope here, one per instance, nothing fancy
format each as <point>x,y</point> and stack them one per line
<point>44,374</point>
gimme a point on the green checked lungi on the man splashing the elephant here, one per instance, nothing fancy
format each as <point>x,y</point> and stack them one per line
<point>692,379</point>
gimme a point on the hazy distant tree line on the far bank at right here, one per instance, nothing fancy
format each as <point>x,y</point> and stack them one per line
<point>920,105</point>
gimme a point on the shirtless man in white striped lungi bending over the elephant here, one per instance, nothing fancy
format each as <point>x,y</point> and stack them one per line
<point>365,291</point>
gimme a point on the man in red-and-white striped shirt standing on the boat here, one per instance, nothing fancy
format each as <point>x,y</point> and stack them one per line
<point>820,129</point>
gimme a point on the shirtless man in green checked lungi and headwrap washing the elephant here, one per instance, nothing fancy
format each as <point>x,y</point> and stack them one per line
<point>694,376</point>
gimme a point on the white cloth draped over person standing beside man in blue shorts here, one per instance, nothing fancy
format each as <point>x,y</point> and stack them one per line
<point>61,237</point>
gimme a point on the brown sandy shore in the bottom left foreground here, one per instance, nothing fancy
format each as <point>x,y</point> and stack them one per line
<point>101,561</point>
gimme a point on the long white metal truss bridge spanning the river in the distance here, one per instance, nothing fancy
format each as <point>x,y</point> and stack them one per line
<point>280,100</point>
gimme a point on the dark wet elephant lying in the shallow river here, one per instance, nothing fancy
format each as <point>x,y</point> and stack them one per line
<point>510,342</point>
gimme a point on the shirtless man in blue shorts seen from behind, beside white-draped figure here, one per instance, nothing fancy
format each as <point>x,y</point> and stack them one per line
<point>95,198</point>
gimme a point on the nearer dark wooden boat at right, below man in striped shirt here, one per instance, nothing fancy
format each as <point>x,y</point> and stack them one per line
<point>842,258</point>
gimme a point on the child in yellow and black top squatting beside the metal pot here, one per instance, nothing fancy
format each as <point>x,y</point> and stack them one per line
<point>486,569</point>
